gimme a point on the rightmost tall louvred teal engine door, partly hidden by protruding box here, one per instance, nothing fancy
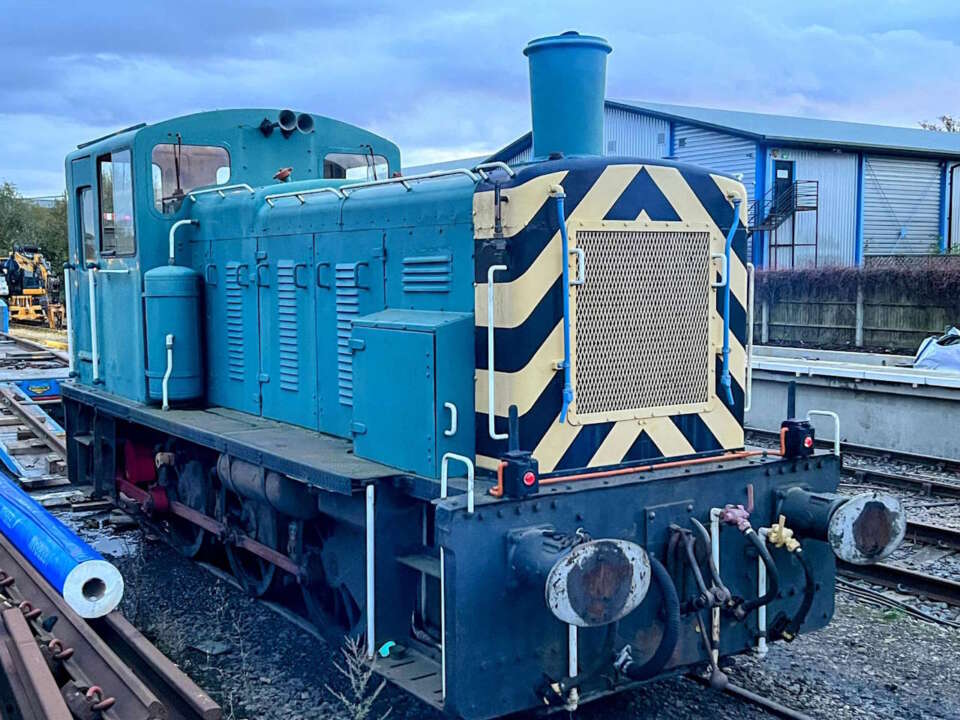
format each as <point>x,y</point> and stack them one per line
<point>349,279</point>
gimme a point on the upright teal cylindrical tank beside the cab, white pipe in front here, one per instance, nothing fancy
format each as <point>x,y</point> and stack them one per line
<point>172,299</point>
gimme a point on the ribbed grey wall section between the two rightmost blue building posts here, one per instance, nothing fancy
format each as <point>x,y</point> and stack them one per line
<point>901,206</point>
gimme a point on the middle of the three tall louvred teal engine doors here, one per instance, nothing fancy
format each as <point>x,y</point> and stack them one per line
<point>288,365</point>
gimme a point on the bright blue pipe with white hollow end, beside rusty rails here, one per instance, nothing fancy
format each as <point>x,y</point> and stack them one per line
<point>90,585</point>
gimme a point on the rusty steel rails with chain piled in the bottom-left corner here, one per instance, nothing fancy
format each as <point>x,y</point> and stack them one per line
<point>59,666</point>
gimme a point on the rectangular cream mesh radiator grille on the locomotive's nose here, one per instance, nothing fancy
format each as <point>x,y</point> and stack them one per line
<point>642,326</point>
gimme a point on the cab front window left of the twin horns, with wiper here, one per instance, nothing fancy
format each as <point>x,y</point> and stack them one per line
<point>178,169</point>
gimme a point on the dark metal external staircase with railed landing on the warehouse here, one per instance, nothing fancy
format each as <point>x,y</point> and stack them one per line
<point>778,207</point>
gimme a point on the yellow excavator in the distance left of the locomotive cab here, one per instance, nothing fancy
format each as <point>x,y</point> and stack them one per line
<point>33,291</point>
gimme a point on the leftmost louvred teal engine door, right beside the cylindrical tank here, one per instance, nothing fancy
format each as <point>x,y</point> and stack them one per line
<point>233,331</point>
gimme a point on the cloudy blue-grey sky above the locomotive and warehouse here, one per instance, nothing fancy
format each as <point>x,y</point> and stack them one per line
<point>446,80</point>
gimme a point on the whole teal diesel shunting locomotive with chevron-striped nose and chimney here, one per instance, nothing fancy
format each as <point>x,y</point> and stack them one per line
<point>490,418</point>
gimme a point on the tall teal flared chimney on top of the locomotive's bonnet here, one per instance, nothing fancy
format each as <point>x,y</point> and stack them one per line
<point>568,75</point>
